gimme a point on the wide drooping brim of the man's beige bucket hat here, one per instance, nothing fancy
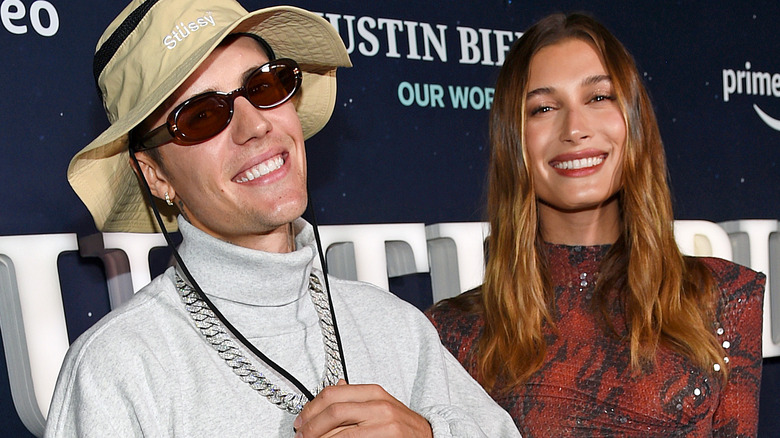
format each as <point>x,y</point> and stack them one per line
<point>101,173</point>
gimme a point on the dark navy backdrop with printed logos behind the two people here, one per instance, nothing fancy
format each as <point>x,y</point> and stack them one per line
<point>408,138</point>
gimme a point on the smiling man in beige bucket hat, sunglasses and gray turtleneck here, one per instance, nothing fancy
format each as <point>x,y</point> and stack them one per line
<point>242,337</point>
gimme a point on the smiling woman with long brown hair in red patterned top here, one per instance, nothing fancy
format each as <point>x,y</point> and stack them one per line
<point>590,320</point>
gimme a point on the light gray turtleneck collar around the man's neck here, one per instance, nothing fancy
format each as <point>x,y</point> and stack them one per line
<point>244,275</point>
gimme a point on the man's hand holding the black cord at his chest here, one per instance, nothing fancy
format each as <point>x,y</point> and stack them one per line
<point>351,411</point>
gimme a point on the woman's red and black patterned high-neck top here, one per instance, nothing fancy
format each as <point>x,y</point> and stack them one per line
<point>585,386</point>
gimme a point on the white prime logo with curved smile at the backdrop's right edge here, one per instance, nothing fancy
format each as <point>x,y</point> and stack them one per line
<point>752,83</point>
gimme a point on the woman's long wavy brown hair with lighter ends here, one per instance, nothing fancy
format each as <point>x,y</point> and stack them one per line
<point>668,298</point>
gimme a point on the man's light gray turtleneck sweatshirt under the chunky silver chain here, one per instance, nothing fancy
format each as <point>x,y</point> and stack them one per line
<point>146,370</point>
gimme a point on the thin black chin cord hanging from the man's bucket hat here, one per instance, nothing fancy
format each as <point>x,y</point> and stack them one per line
<point>237,334</point>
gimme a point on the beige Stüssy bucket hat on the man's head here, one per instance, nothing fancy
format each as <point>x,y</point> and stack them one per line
<point>149,50</point>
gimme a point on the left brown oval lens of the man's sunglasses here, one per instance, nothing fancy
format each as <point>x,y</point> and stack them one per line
<point>203,118</point>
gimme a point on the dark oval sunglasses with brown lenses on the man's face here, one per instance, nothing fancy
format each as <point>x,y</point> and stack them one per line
<point>203,116</point>
